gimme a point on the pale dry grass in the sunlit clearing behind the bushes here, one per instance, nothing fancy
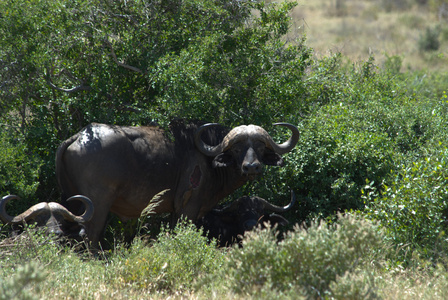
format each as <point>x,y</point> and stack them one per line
<point>359,29</point>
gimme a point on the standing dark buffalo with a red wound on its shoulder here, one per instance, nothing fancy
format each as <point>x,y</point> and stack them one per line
<point>121,168</point>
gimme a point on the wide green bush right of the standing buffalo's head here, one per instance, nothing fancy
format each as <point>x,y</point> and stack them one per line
<point>367,122</point>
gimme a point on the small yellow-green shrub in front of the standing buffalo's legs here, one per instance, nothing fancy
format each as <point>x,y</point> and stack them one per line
<point>173,262</point>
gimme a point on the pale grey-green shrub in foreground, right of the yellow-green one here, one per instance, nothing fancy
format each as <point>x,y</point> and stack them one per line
<point>308,260</point>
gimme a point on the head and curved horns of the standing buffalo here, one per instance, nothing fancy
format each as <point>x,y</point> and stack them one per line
<point>248,147</point>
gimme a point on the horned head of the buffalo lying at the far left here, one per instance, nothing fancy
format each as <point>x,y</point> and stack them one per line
<point>54,217</point>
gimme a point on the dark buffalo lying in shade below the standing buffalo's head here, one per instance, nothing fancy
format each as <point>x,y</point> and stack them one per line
<point>228,224</point>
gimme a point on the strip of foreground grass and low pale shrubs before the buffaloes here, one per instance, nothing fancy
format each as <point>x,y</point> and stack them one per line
<point>342,260</point>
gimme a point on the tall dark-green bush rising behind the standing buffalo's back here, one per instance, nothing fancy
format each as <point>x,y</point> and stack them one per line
<point>133,63</point>
